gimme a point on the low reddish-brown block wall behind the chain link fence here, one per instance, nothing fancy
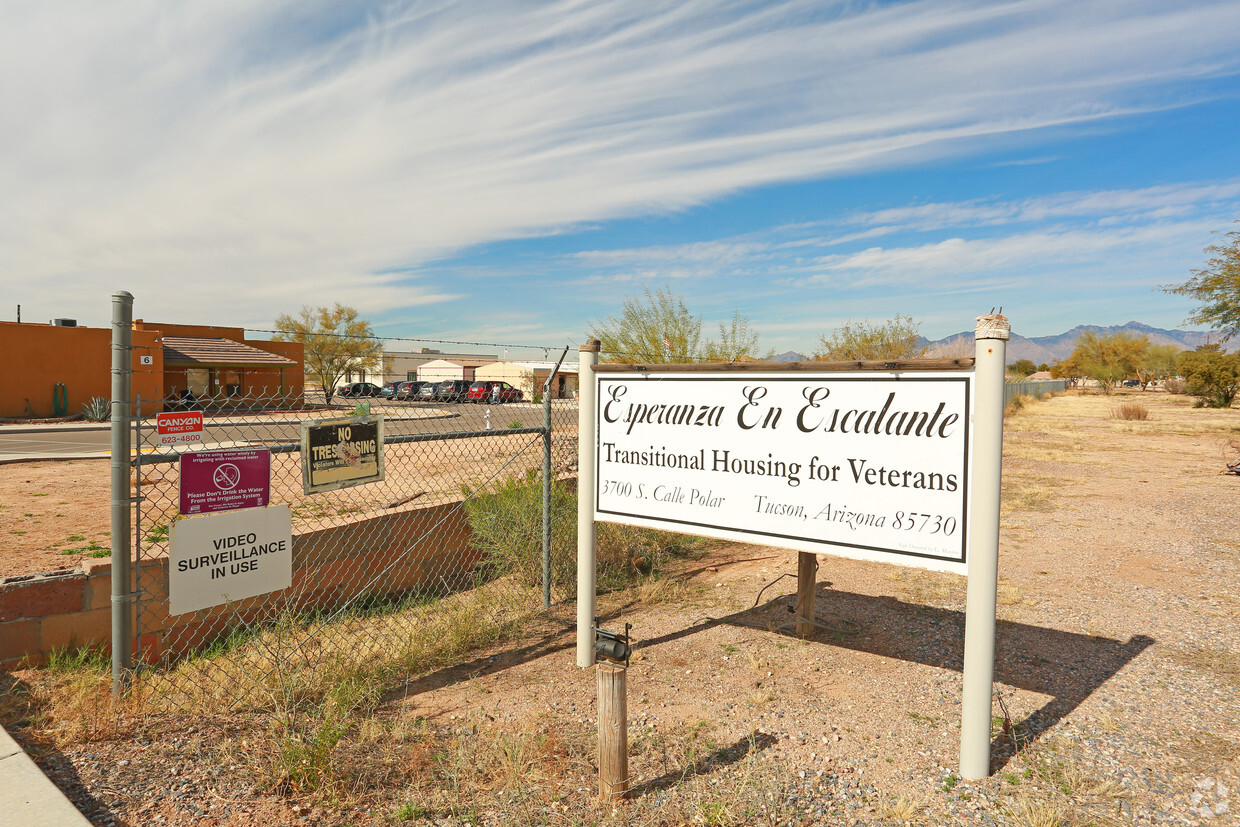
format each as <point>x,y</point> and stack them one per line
<point>423,547</point>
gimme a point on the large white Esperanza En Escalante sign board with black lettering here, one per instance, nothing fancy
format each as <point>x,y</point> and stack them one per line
<point>871,466</point>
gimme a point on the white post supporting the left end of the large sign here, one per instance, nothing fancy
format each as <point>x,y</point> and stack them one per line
<point>586,535</point>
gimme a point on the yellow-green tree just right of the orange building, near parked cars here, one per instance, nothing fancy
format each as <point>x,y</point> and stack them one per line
<point>337,340</point>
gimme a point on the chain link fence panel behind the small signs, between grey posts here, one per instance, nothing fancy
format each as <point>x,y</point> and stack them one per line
<point>411,572</point>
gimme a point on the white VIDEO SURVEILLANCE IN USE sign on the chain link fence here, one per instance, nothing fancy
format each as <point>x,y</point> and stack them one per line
<point>229,556</point>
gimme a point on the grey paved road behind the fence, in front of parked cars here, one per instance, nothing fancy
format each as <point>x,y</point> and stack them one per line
<point>77,441</point>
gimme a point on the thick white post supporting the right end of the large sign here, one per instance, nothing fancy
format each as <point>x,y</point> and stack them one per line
<point>993,334</point>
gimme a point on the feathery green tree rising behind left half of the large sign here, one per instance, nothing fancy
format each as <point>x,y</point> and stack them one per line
<point>660,329</point>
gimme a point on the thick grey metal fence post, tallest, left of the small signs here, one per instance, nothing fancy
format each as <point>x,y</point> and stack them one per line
<point>122,392</point>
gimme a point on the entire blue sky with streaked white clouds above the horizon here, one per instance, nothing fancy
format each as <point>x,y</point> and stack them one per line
<point>510,172</point>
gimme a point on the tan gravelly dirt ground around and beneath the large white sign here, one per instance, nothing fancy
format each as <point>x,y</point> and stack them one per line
<point>1118,678</point>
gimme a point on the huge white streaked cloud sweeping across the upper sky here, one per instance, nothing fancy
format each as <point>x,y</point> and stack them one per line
<point>230,161</point>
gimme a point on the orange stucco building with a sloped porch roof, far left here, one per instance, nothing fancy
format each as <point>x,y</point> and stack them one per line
<point>53,370</point>
